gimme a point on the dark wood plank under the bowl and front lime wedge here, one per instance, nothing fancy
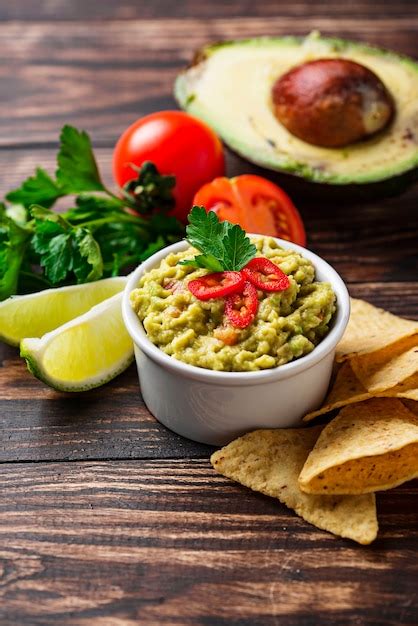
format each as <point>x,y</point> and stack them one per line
<point>37,423</point>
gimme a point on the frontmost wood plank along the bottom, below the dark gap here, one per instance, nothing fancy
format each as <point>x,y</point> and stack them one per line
<point>173,543</point>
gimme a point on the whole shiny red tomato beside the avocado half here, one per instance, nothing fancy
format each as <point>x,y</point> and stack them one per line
<point>176,143</point>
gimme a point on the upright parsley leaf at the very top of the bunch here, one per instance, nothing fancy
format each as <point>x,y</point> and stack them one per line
<point>77,168</point>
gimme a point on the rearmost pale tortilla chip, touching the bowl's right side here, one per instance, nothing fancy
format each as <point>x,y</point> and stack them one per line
<point>371,329</point>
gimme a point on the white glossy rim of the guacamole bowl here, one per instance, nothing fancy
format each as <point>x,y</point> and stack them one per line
<point>281,372</point>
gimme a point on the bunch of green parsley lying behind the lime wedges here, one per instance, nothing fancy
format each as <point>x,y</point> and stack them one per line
<point>103,234</point>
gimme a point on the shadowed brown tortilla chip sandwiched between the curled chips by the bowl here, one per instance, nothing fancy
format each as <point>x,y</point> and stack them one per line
<point>347,389</point>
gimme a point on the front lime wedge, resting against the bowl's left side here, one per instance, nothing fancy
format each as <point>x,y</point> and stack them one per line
<point>84,353</point>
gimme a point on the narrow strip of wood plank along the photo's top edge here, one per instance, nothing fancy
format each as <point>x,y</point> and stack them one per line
<point>158,9</point>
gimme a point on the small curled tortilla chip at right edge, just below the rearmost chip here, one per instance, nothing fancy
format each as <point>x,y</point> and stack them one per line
<point>385,369</point>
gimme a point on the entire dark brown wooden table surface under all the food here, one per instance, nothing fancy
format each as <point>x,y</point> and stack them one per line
<point>106,517</point>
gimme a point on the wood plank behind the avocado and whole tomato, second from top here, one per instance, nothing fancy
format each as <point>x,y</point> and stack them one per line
<point>103,75</point>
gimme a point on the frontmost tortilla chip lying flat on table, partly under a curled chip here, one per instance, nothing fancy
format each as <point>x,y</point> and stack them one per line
<point>269,461</point>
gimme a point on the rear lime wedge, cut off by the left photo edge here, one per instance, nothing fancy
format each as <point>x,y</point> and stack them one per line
<point>38,313</point>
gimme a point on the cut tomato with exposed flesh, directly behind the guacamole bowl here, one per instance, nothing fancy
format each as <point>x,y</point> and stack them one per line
<point>256,204</point>
